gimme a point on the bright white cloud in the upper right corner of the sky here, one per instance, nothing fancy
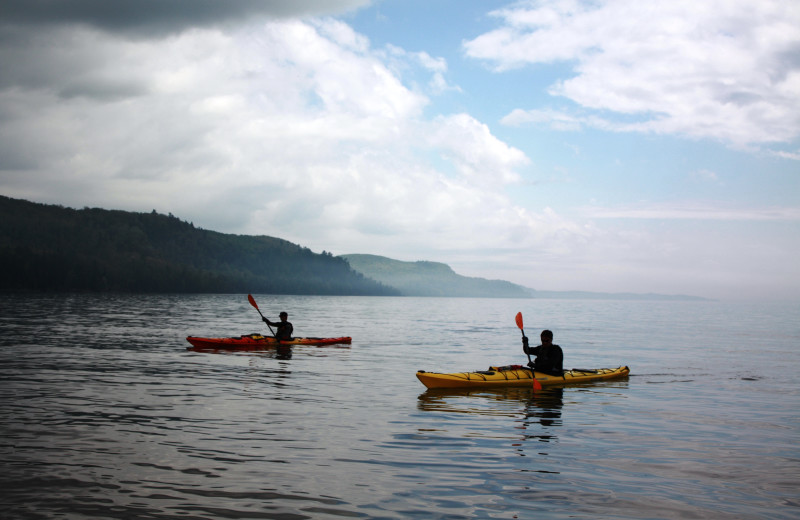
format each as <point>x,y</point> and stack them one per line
<point>725,70</point>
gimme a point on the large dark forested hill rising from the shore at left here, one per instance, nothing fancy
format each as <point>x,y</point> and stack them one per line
<point>52,248</point>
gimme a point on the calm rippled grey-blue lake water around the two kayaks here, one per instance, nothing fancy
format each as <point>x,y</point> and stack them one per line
<point>105,414</point>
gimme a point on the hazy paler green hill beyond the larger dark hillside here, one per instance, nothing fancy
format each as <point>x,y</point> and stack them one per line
<point>431,279</point>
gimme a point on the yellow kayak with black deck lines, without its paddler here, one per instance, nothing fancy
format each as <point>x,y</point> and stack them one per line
<point>516,375</point>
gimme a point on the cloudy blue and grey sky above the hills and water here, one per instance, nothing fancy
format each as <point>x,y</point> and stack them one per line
<point>604,145</point>
